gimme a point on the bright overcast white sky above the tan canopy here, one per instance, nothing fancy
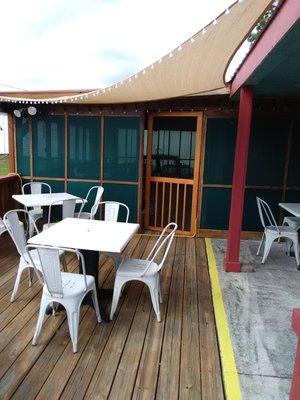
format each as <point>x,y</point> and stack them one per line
<point>69,44</point>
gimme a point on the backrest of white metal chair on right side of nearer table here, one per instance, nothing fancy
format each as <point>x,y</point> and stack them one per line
<point>160,243</point>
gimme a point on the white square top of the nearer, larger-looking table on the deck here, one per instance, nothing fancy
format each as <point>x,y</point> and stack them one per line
<point>87,234</point>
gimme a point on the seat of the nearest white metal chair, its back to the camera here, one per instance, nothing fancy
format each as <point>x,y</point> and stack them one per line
<point>73,284</point>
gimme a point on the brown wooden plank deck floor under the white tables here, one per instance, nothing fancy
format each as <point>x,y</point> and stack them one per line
<point>134,356</point>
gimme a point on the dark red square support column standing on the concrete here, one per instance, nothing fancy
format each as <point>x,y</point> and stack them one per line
<point>232,262</point>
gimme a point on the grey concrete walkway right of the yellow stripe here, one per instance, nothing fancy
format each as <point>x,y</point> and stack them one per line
<point>259,307</point>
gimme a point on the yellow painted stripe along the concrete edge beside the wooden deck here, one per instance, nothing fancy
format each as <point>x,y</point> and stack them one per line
<point>230,374</point>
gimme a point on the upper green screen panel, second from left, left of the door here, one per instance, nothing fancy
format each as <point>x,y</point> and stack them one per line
<point>48,146</point>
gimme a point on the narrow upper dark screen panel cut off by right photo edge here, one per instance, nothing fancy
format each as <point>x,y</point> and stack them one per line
<point>294,164</point>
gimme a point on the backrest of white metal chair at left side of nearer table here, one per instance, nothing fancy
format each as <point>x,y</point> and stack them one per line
<point>17,231</point>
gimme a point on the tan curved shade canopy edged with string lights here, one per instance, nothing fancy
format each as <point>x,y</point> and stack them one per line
<point>196,67</point>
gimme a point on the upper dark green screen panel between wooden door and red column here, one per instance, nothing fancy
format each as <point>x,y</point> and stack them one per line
<point>219,150</point>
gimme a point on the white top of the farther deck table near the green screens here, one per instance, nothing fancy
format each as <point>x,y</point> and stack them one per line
<point>43,199</point>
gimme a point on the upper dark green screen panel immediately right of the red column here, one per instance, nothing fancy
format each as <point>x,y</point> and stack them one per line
<point>267,151</point>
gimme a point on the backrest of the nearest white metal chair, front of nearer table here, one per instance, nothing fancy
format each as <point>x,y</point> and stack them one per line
<point>50,266</point>
